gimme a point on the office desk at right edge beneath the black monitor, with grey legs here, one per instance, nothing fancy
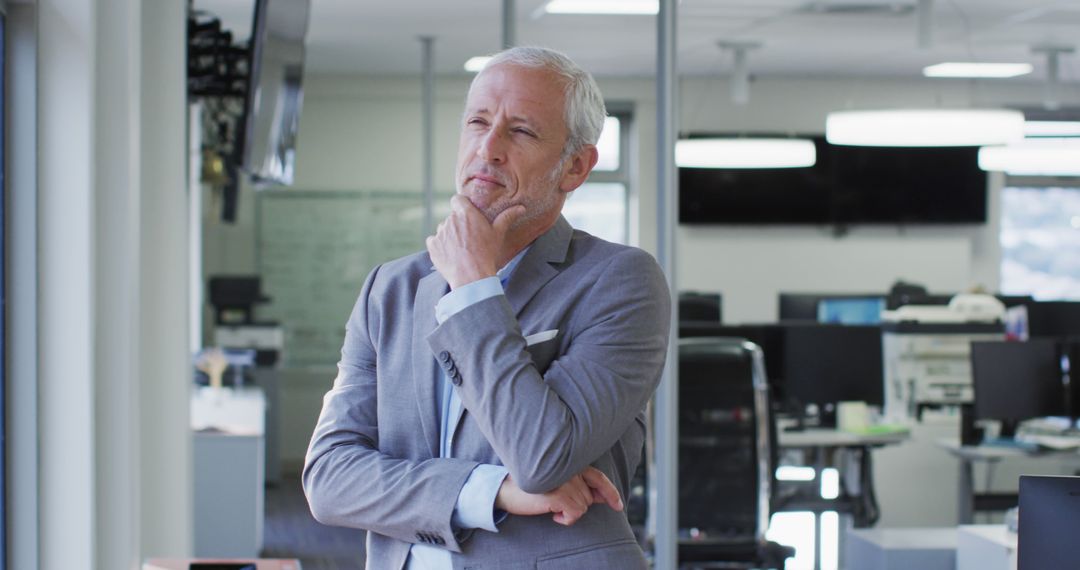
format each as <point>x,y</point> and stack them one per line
<point>968,499</point>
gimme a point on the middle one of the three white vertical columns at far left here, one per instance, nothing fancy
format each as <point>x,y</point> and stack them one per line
<point>116,247</point>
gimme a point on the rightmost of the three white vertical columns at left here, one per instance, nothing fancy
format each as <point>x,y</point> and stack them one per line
<point>165,378</point>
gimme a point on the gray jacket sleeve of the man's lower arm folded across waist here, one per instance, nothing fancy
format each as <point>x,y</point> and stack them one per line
<point>349,482</point>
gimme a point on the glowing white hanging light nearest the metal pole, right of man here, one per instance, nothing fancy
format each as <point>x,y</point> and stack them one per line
<point>746,154</point>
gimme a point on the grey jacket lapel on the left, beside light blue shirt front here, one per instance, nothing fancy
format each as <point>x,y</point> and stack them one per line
<point>430,290</point>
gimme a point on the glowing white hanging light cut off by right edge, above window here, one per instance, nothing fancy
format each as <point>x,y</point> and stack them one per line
<point>1044,157</point>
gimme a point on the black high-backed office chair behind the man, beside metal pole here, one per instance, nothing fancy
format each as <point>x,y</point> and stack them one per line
<point>727,457</point>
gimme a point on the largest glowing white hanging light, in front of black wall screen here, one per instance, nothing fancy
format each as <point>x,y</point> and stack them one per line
<point>925,128</point>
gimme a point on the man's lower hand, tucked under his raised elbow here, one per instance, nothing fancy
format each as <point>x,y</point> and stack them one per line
<point>570,503</point>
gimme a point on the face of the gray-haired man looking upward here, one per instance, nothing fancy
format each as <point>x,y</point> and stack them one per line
<point>511,144</point>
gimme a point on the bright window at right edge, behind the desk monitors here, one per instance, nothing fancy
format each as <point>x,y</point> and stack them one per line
<point>1041,242</point>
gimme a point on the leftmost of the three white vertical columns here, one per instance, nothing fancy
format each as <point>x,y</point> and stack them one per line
<point>66,192</point>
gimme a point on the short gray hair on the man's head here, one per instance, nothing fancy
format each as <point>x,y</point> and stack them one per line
<point>585,104</point>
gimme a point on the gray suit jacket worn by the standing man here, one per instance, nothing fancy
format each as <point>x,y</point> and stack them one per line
<point>545,411</point>
